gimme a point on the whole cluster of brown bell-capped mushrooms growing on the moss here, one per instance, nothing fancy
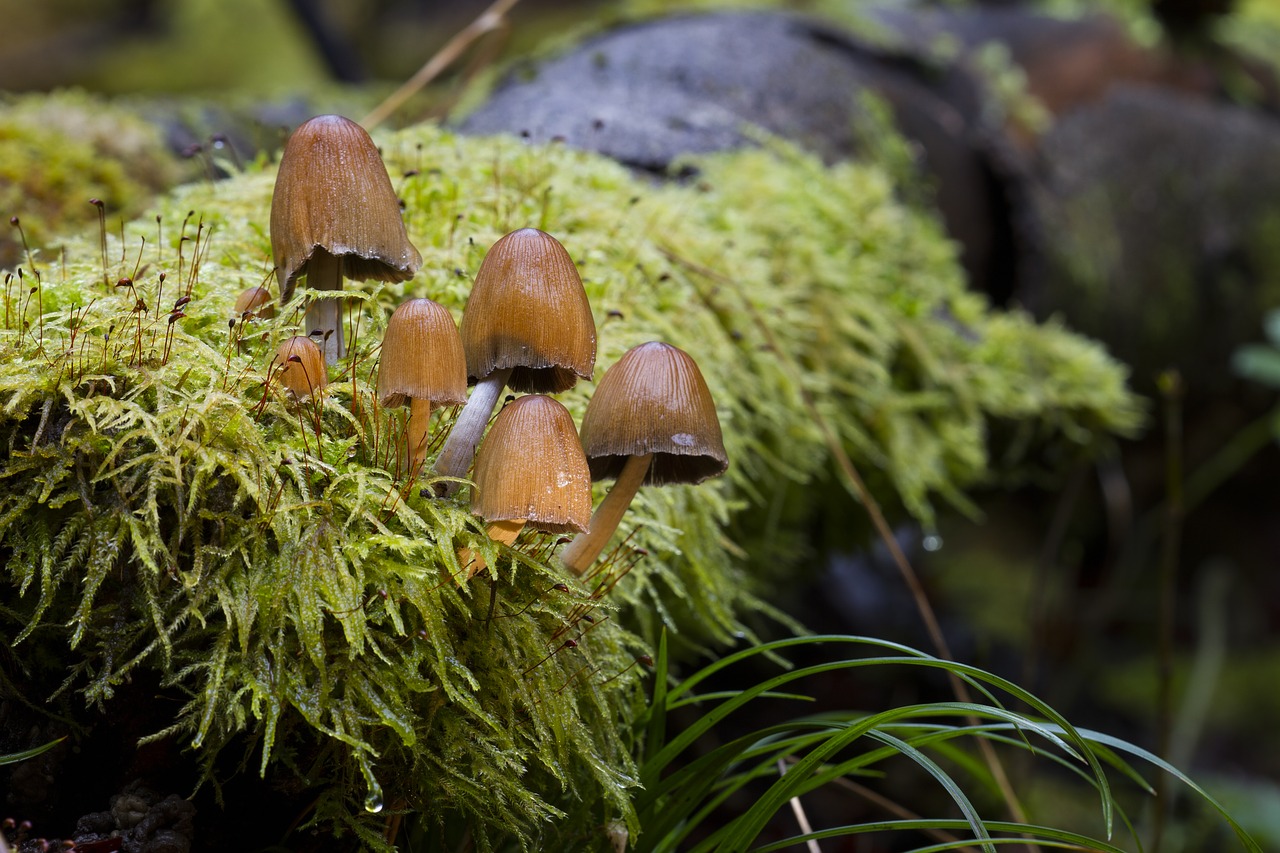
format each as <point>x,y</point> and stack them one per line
<point>527,327</point>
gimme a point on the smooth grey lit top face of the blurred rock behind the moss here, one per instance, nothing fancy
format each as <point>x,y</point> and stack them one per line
<point>652,93</point>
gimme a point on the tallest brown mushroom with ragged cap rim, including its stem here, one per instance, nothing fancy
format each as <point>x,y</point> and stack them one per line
<point>335,215</point>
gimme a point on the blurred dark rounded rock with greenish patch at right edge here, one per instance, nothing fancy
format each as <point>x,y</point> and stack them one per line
<point>1164,215</point>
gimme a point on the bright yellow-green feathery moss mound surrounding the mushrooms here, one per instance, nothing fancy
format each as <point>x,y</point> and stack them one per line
<point>168,508</point>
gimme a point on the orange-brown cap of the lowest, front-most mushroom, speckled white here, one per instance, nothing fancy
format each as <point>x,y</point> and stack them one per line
<point>532,467</point>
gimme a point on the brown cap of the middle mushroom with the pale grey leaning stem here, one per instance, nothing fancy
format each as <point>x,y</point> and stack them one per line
<point>528,312</point>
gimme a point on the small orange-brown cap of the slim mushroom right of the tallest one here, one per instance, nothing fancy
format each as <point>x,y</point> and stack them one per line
<point>422,357</point>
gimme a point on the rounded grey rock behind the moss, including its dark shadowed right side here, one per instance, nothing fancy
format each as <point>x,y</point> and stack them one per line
<point>651,93</point>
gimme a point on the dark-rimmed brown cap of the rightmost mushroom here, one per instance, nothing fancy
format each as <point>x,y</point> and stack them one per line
<point>655,400</point>
